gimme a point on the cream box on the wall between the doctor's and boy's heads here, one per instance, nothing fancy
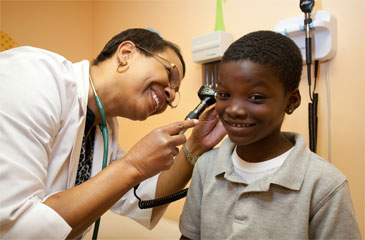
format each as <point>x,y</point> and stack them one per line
<point>210,47</point>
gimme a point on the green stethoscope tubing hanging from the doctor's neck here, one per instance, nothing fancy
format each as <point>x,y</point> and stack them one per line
<point>104,131</point>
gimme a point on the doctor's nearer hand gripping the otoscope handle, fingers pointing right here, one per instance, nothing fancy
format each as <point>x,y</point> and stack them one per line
<point>156,151</point>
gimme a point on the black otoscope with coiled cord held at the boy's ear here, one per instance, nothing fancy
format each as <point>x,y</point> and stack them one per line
<point>207,97</point>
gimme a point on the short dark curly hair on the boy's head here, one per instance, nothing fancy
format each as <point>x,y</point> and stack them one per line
<point>272,49</point>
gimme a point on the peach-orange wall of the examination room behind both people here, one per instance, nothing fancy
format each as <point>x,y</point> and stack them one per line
<point>79,29</point>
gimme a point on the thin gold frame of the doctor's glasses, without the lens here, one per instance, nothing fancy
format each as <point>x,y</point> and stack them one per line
<point>170,67</point>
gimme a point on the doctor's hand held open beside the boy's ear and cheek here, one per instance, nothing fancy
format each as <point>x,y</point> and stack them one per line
<point>208,133</point>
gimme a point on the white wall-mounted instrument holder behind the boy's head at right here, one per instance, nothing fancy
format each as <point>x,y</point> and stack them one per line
<point>324,34</point>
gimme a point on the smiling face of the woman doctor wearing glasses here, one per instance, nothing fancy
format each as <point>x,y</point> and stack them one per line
<point>153,83</point>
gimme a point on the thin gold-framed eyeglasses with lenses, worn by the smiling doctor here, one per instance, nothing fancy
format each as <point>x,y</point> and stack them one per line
<point>173,74</point>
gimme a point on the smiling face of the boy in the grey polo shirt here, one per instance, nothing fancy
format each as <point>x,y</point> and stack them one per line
<point>251,103</point>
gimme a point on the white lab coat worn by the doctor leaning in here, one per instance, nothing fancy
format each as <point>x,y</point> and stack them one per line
<point>43,105</point>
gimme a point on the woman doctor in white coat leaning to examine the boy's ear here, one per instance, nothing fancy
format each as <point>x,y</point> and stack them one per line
<point>52,186</point>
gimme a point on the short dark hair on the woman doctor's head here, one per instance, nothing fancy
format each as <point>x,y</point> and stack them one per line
<point>141,37</point>
